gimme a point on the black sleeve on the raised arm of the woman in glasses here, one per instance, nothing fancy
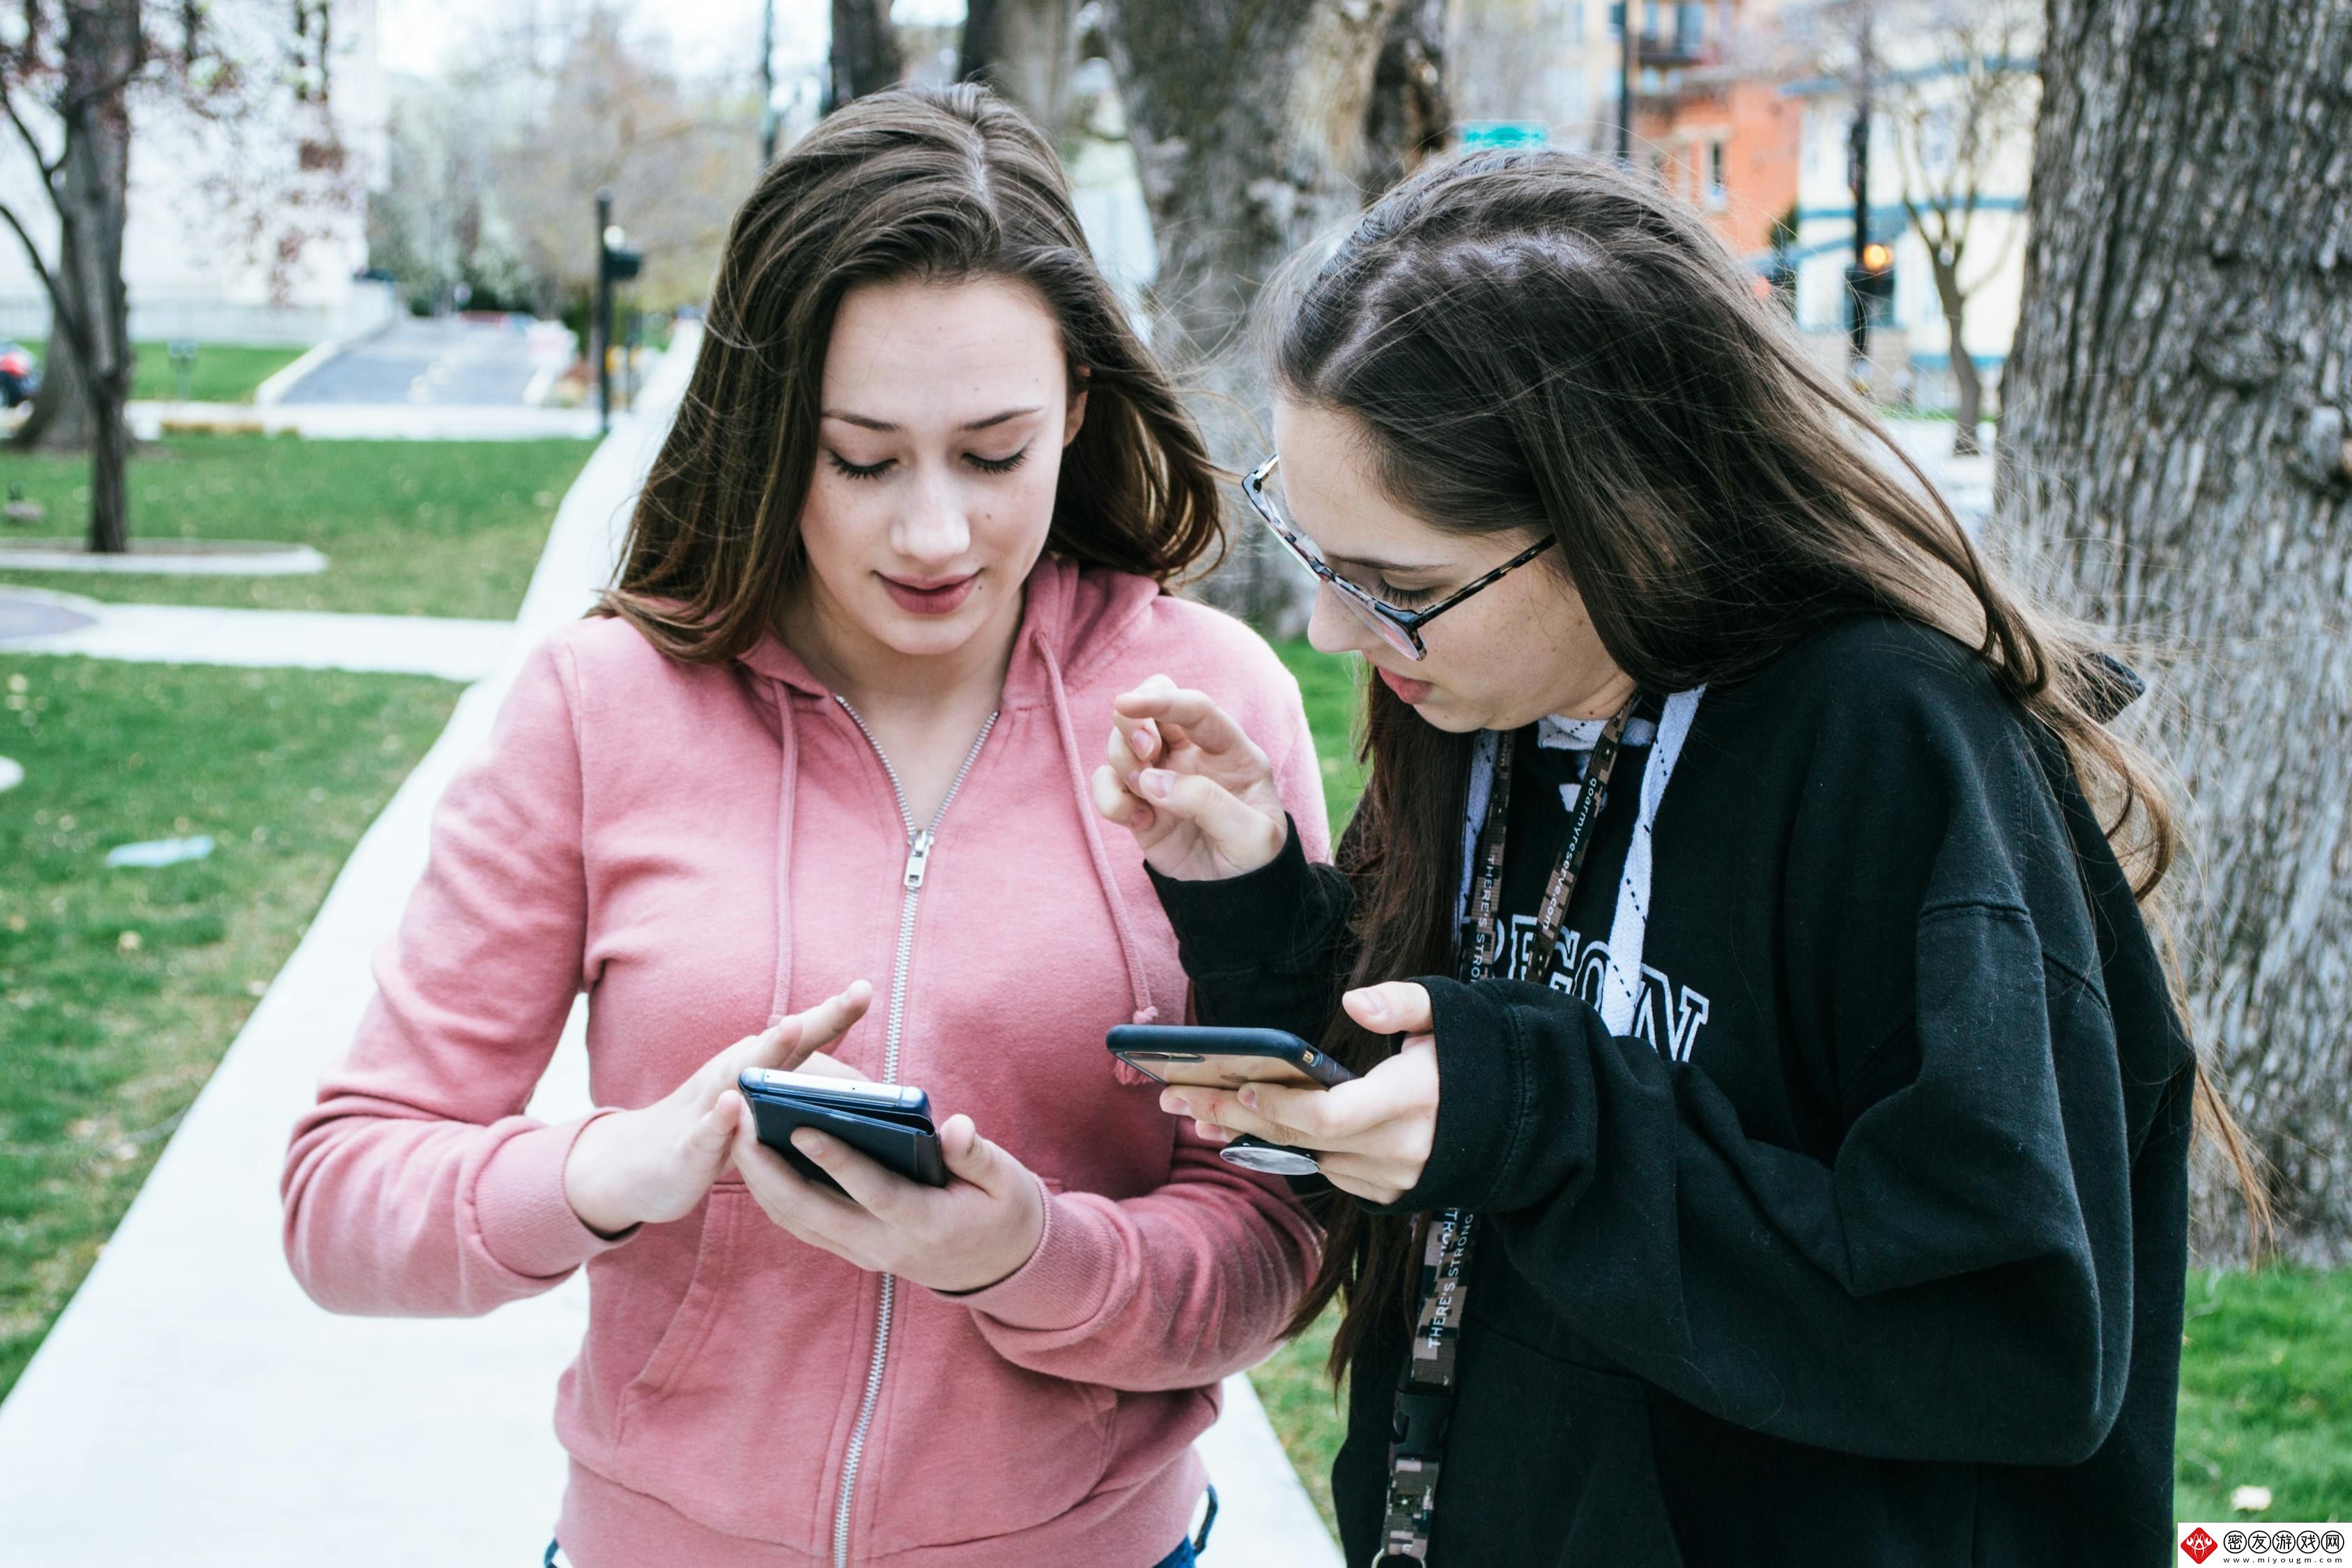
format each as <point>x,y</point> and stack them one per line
<point>1267,949</point>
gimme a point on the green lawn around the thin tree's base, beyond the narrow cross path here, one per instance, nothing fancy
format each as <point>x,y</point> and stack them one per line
<point>408,528</point>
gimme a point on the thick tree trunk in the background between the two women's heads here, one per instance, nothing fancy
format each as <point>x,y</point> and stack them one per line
<point>1257,130</point>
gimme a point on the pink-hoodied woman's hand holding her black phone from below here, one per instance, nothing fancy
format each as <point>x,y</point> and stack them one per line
<point>961,1238</point>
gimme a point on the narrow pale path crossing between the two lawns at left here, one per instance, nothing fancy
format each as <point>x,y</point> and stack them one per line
<point>258,638</point>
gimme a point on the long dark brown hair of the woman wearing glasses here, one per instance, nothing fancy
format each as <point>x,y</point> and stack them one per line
<point>1539,342</point>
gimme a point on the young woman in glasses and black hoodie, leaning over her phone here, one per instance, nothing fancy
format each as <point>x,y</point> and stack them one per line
<point>1782,1151</point>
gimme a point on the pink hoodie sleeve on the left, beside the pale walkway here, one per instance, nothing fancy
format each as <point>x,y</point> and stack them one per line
<point>417,1186</point>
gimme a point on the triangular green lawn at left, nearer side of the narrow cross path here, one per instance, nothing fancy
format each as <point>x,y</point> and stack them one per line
<point>121,989</point>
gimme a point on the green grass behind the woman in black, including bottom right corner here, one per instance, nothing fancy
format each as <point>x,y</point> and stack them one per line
<point>2266,1365</point>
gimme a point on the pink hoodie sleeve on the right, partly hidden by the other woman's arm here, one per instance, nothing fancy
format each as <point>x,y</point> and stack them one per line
<point>1194,1282</point>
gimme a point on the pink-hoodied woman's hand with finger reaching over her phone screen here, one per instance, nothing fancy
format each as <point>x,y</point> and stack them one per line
<point>643,1167</point>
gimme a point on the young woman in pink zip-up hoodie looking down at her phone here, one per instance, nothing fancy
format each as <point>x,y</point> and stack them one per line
<point>810,793</point>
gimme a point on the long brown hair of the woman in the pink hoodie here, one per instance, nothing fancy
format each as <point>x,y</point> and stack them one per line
<point>911,185</point>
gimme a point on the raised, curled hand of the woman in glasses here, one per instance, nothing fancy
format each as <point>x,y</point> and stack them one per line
<point>1191,786</point>
